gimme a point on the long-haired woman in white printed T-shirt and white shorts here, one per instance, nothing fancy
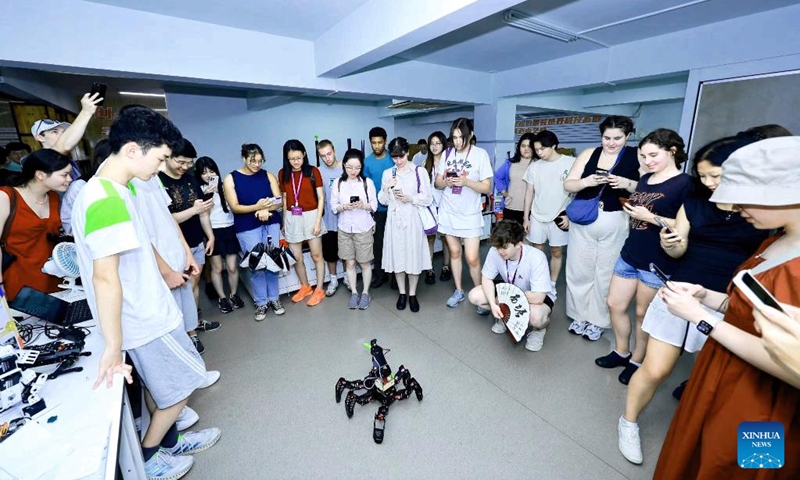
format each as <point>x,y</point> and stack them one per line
<point>465,173</point>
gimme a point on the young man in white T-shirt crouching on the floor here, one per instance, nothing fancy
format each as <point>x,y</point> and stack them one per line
<point>523,266</point>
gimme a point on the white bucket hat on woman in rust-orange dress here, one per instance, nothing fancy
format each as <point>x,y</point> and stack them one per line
<point>763,173</point>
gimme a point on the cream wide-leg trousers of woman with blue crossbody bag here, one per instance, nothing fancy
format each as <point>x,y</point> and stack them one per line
<point>593,251</point>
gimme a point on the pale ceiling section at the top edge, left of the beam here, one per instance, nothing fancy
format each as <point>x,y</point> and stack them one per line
<point>302,19</point>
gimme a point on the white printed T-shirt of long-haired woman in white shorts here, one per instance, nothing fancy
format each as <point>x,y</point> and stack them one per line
<point>466,206</point>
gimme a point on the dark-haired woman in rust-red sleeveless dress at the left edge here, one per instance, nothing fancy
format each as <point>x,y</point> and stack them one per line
<point>45,173</point>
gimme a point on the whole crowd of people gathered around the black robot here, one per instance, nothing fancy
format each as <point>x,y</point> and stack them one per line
<point>641,231</point>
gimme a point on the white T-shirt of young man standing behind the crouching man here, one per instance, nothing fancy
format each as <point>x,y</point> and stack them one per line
<point>549,196</point>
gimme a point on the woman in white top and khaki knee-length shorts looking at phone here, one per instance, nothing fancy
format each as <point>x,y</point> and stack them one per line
<point>354,200</point>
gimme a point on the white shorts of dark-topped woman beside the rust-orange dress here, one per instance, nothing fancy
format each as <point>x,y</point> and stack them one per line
<point>671,329</point>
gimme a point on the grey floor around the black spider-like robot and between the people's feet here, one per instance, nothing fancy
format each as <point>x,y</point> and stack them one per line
<point>491,410</point>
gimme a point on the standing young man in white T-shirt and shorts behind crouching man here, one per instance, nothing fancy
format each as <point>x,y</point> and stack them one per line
<point>546,199</point>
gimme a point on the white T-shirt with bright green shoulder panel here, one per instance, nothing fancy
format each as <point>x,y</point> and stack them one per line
<point>105,222</point>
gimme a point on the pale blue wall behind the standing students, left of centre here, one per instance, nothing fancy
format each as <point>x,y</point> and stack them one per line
<point>218,126</point>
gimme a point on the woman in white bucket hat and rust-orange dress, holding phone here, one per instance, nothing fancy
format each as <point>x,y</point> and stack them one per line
<point>735,379</point>
